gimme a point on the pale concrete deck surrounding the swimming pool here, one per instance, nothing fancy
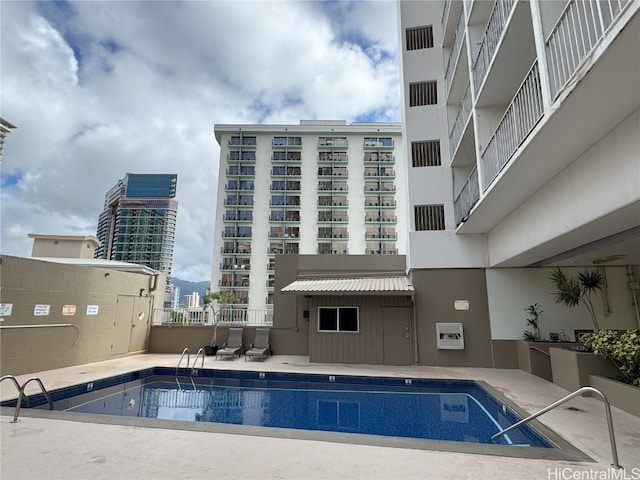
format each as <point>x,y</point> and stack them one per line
<point>44,445</point>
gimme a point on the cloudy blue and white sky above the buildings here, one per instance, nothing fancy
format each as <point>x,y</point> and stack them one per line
<point>98,89</point>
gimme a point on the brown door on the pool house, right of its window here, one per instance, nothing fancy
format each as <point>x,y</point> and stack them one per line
<point>396,331</point>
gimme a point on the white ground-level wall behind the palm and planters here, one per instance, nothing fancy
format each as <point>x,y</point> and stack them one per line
<point>511,290</point>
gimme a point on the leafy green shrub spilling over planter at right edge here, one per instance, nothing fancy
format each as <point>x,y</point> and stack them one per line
<point>622,349</point>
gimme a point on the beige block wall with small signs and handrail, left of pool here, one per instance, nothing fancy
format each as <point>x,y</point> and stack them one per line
<point>31,343</point>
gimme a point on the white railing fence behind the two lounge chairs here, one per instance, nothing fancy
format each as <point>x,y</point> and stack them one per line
<point>228,316</point>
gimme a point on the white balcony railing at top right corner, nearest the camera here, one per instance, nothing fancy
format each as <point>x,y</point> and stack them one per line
<point>580,28</point>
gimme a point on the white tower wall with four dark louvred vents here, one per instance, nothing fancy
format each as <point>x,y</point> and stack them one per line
<point>432,185</point>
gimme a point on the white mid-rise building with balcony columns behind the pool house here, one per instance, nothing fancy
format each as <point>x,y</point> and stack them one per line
<point>320,187</point>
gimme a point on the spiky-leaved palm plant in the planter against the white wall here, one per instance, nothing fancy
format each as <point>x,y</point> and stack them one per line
<point>571,291</point>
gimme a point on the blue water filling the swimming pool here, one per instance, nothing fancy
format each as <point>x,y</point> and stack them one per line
<point>411,408</point>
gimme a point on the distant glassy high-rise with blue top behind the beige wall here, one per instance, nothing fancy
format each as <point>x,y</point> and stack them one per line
<point>138,223</point>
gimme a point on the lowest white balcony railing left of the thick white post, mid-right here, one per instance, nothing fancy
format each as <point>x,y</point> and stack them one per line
<point>522,115</point>
